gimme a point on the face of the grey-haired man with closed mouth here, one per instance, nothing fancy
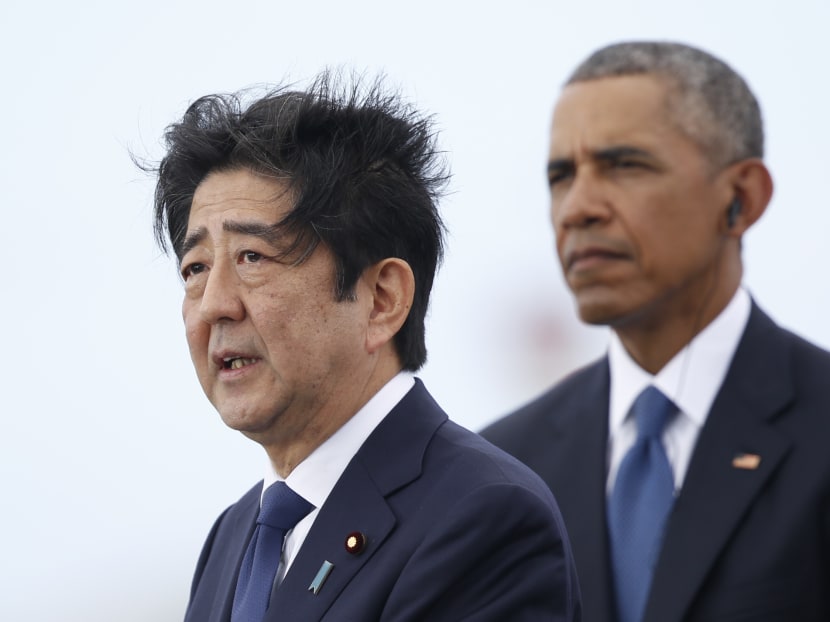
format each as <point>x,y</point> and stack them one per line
<point>637,210</point>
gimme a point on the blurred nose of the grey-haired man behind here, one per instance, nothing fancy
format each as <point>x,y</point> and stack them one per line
<point>582,203</point>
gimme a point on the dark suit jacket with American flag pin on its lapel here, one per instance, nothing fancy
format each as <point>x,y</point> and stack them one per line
<point>740,544</point>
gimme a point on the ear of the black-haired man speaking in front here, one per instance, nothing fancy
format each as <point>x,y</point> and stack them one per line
<point>392,288</point>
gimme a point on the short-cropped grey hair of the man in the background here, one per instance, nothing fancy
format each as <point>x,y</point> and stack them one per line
<point>707,99</point>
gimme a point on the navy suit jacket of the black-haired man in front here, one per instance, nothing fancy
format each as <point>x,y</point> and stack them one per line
<point>456,530</point>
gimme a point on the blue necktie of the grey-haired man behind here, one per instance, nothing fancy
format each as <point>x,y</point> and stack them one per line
<point>639,505</point>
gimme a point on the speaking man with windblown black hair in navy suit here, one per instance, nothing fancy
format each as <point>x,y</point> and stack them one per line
<point>306,230</point>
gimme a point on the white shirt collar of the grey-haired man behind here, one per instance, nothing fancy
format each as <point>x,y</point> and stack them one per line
<point>692,378</point>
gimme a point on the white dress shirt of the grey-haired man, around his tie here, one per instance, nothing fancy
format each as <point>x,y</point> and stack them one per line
<point>691,380</point>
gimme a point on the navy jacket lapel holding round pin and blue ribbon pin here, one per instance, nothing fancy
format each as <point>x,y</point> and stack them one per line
<point>358,503</point>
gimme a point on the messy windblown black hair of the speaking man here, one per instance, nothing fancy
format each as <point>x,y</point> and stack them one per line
<point>362,168</point>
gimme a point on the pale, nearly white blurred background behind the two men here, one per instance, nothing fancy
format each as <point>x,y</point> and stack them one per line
<point>113,464</point>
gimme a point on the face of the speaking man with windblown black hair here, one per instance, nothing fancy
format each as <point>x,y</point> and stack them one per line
<point>272,348</point>
